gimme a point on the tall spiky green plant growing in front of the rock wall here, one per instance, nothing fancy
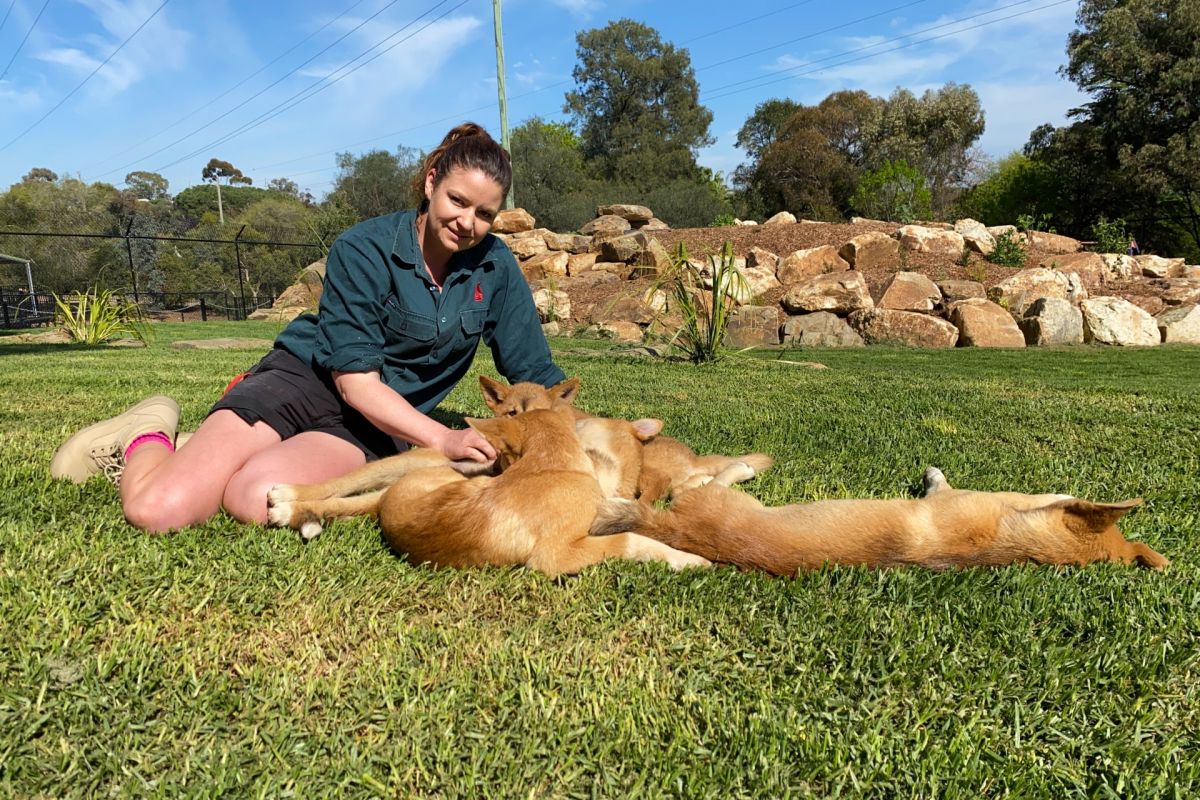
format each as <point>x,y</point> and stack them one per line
<point>704,302</point>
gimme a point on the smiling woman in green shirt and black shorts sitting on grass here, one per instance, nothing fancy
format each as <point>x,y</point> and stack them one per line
<point>407,299</point>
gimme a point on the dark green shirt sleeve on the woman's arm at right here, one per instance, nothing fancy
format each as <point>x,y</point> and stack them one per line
<point>514,330</point>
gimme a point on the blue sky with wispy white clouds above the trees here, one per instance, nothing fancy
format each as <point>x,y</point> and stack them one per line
<point>274,87</point>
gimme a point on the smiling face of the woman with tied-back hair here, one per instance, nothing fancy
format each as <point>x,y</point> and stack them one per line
<point>463,208</point>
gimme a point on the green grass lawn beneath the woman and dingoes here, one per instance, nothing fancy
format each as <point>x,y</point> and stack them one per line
<point>235,660</point>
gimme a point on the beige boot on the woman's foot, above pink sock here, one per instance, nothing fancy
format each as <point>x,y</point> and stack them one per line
<point>100,448</point>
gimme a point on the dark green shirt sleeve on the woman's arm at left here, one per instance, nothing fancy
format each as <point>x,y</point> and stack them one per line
<point>351,323</point>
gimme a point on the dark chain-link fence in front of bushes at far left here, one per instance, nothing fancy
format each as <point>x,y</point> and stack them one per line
<point>163,262</point>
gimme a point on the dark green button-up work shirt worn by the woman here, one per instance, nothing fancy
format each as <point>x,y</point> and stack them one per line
<point>380,311</point>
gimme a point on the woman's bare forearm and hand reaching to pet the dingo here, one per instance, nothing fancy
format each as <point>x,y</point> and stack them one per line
<point>388,411</point>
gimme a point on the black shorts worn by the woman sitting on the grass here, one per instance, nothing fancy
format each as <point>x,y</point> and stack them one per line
<point>291,398</point>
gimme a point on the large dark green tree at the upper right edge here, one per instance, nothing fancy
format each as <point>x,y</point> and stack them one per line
<point>1139,63</point>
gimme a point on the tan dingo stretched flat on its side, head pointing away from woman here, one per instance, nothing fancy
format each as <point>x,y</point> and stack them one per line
<point>947,528</point>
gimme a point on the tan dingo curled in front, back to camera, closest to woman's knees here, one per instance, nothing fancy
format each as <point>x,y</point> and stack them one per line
<point>536,513</point>
